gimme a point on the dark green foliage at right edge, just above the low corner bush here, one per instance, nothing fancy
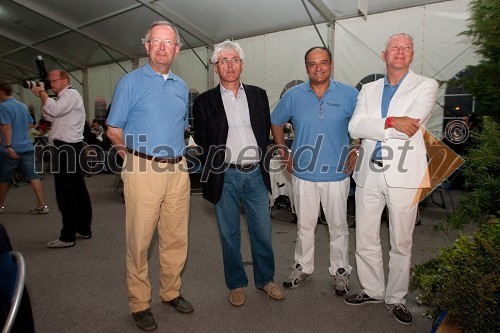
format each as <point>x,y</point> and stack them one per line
<point>481,172</point>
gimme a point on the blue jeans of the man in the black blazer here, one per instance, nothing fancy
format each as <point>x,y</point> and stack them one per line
<point>248,187</point>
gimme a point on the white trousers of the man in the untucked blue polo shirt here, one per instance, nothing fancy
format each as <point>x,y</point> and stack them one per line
<point>333,197</point>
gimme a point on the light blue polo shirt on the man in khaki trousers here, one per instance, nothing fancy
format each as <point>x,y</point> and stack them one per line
<point>152,111</point>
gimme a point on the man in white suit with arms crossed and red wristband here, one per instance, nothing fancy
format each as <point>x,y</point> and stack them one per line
<point>388,118</point>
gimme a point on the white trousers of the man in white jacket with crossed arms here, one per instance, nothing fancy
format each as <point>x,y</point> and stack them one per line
<point>370,202</point>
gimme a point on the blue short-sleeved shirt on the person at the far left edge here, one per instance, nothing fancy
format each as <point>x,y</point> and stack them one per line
<point>16,114</point>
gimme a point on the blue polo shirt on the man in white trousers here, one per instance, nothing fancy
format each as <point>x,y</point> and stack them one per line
<point>321,140</point>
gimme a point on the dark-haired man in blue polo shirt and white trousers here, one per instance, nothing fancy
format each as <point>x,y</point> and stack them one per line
<point>320,110</point>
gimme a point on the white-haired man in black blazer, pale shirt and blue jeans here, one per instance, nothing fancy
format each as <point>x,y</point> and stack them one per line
<point>232,124</point>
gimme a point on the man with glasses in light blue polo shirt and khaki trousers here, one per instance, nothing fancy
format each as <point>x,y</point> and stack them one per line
<point>146,123</point>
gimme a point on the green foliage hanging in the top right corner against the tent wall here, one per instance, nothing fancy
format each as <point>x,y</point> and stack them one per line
<point>484,80</point>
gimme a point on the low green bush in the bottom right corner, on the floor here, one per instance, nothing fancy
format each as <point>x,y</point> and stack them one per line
<point>465,280</point>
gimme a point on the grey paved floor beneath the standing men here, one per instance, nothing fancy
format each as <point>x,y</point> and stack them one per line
<point>83,289</point>
